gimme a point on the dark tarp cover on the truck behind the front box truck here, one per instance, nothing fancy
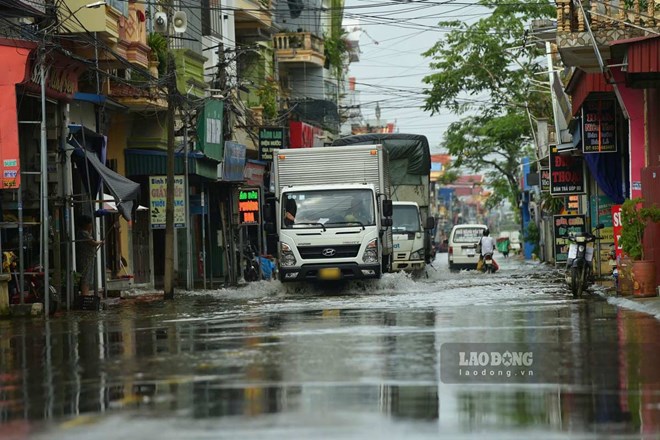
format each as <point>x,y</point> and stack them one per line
<point>409,154</point>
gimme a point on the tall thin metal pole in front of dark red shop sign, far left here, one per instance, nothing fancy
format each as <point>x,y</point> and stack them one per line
<point>44,187</point>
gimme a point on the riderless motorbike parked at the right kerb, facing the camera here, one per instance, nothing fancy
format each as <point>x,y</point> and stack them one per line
<point>579,271</point>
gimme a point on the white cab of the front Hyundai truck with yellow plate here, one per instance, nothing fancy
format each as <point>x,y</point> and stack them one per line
<point>334,233</point>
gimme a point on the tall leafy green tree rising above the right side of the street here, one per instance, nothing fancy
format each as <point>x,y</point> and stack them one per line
<point>485,72</point>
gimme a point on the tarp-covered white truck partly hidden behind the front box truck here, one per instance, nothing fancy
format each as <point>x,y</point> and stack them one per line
<point>409,168</point>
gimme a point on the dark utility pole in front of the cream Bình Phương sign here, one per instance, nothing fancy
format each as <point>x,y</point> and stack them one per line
<point>169,200</point>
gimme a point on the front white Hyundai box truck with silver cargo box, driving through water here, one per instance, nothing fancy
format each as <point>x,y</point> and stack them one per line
<point>332,213</point>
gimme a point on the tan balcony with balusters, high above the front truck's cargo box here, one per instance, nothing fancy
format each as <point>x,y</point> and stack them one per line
<point>299,48</point>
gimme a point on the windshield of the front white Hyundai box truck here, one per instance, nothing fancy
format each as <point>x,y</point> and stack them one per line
<point>327,208</point>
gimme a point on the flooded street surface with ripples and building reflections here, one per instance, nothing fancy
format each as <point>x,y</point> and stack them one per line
<point>270,361</point>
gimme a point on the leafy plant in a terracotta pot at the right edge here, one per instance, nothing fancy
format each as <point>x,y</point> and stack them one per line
<point>634,219</point>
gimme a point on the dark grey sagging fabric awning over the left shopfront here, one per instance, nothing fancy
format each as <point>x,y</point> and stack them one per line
<point>89,145</point>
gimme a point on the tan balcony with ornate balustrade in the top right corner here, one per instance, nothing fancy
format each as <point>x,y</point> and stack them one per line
<point>609,20</point>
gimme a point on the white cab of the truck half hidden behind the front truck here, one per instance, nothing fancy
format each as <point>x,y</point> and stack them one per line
<point>408,235</point>
